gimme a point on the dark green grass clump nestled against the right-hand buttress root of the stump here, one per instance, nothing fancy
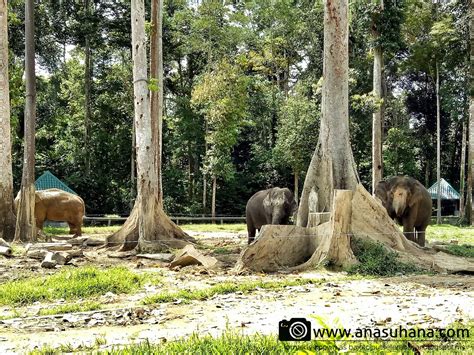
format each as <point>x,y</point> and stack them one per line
<point>375,259</point>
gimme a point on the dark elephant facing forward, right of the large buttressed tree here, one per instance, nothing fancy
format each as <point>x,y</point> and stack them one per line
<point>409,203</point>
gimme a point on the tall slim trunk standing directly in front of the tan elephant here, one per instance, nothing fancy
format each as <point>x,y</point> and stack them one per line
<point>25,223</point>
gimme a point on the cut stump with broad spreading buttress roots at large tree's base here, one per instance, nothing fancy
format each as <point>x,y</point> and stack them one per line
<point>355,214</point>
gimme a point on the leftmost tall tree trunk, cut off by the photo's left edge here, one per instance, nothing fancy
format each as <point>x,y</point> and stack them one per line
<point>7,218</point>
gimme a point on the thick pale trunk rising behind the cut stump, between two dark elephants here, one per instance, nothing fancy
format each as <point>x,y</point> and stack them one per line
<point>332,165</point>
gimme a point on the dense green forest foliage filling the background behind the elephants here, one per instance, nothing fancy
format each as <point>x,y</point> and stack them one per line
<point>242,95</point>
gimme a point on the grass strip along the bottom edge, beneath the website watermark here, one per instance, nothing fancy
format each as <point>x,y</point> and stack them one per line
<point>234,342</point>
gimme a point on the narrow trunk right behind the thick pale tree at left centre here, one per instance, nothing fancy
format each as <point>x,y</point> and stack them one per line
<point>156,73</point>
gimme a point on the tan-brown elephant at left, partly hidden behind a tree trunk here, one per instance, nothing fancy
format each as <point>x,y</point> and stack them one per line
<point>57,205</point>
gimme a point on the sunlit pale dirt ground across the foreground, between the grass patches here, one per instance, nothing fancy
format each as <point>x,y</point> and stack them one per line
<point>409,301</point>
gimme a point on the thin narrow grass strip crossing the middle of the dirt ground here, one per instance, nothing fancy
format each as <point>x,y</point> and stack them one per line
<point>223,288</point>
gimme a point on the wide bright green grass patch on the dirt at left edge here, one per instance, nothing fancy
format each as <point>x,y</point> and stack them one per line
<point>72,284</point>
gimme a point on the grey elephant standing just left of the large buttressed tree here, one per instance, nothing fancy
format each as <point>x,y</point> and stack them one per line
<point>271,206</point>
